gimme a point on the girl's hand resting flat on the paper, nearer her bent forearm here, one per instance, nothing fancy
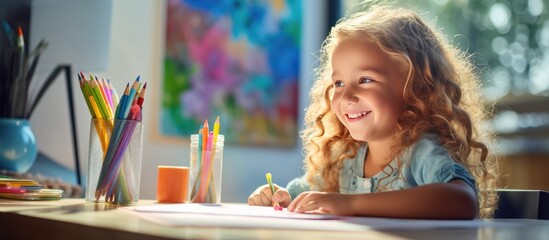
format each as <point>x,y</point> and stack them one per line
<point>323,202</point>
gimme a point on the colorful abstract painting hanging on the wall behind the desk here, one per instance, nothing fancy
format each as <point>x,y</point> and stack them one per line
<point>238,60</point>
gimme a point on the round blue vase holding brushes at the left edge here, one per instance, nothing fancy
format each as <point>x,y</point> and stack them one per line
<point>17,145</point>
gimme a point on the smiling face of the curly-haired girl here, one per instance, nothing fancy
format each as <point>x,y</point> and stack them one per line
<point>368,88</point>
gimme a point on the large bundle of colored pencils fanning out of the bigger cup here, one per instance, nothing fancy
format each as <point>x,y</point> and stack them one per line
<point>115,121</point>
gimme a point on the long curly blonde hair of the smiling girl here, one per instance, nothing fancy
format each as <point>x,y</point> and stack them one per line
<point>442,96</point>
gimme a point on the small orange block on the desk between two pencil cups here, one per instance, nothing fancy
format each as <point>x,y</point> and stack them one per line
<point>173,184</point>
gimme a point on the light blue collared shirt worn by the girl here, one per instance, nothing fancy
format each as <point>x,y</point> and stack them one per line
<point>424,163</point>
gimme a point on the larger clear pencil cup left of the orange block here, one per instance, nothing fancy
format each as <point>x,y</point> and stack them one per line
<point>114,161</point>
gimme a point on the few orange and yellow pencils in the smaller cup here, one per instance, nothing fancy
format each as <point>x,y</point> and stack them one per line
<point>204,185</point>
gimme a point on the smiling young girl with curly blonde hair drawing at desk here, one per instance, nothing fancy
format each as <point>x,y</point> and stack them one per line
<point>393,129</point>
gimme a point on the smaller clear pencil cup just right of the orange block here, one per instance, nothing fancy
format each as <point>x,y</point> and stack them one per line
<point>206,171</point>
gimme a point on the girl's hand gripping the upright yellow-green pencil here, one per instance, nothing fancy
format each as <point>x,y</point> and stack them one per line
<point>263,196</point>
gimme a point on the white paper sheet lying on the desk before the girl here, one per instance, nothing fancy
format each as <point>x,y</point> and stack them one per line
<point>243,216</point>
